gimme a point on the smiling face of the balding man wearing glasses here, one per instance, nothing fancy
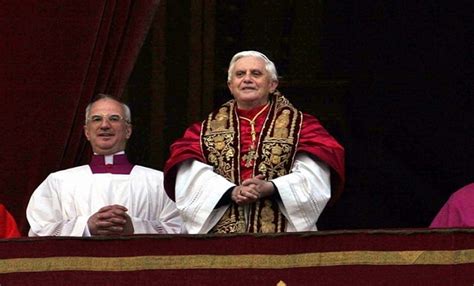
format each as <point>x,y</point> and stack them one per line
<point>106,128</point>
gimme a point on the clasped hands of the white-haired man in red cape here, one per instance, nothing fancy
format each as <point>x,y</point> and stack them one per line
<point>251,190</point>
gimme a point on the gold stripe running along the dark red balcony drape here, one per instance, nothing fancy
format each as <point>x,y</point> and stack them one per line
<point>176,262</point>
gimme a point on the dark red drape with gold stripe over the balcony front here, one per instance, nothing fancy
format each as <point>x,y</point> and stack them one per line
<point>382,257</point>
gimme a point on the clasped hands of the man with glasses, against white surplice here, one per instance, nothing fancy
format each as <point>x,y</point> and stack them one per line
<point>111,220</point>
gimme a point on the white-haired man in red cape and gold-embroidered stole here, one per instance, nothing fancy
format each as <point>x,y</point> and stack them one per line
<point>256,164</point>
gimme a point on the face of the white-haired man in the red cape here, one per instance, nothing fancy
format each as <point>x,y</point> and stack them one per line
<point>250,83</point>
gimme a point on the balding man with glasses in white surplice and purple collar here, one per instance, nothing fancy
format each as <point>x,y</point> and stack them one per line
<point>109,196</point>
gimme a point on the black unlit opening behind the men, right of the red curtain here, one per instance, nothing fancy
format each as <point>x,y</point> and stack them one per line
<point>391,81</point>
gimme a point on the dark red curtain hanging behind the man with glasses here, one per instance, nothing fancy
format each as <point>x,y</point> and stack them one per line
<point>54,57</point>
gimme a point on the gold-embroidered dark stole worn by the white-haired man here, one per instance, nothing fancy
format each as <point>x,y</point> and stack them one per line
<point>276,149</point>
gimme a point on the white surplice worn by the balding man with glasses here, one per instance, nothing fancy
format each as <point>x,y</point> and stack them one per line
<point>63,203</point>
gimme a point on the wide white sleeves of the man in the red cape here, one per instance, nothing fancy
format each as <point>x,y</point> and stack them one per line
<point>304,194</point>
